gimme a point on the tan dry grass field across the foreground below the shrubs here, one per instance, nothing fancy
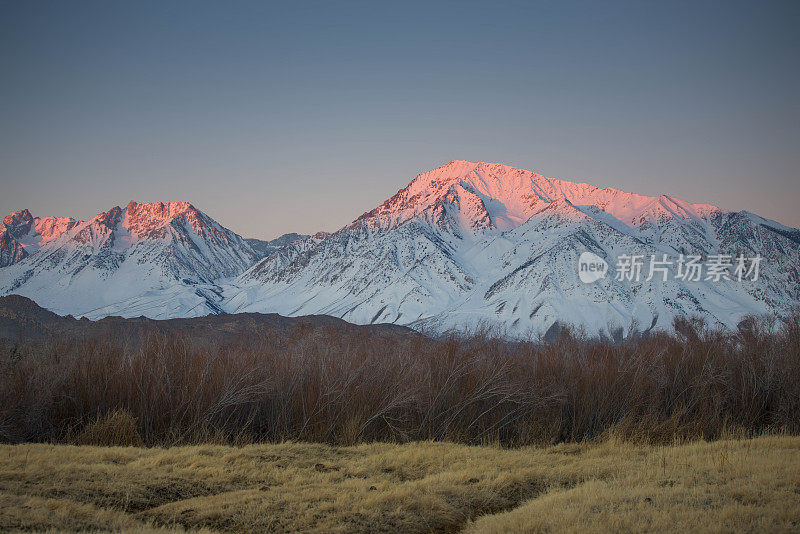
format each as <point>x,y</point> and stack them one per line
<point>729,485</point>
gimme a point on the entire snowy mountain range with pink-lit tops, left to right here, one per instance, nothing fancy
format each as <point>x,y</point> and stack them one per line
<point>463,246</point>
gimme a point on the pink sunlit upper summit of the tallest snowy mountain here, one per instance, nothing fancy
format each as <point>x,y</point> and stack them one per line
<point>494,195</point>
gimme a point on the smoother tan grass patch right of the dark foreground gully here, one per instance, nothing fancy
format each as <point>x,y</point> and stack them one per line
<point>725,486</point>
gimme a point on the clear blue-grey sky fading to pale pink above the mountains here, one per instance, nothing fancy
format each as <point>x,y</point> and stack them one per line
<point>277,117</point>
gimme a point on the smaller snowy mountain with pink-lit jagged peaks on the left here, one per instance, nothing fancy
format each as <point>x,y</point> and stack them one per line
<point>160,260</point>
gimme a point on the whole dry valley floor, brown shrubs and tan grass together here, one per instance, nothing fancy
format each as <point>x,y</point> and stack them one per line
<point>404,433</point>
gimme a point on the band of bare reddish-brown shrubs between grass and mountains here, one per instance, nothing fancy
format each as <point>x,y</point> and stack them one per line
<point>347,386</point>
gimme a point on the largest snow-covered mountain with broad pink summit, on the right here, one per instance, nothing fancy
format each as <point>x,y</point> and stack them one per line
<point>478,243</point>
